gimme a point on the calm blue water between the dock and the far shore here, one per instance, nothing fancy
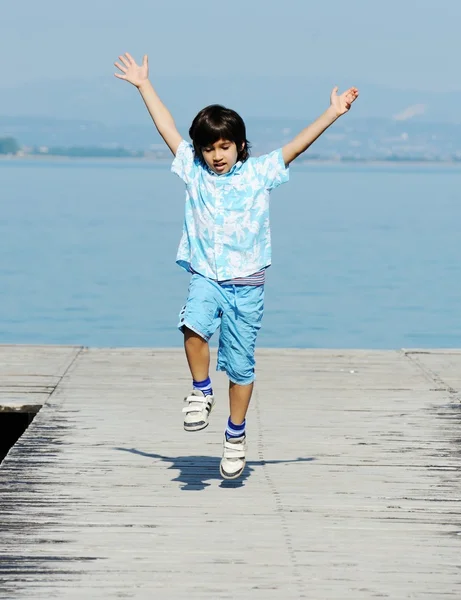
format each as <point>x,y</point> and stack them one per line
<point>363,257</point>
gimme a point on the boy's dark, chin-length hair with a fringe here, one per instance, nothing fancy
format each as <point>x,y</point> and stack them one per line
<point>215,122</point>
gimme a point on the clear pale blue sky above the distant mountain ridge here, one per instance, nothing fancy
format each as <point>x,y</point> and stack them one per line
<point>401,44</point>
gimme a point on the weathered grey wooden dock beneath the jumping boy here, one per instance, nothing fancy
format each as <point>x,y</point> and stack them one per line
<point>352,489</point>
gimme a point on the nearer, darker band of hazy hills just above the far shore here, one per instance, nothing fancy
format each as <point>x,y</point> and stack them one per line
<point>366,138</point>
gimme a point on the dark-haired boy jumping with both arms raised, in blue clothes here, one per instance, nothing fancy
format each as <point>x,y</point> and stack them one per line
<point>225,245</point>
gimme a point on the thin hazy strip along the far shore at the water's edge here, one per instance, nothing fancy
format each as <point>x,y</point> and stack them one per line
<point>159,161</point>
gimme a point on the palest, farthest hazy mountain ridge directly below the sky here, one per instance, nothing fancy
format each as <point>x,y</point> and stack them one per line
<point>115,102</point>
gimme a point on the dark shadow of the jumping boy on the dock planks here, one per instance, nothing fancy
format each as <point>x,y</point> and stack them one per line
<point>196,471</point>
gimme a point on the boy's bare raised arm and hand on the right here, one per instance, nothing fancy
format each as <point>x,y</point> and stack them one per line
<point>339,105</point>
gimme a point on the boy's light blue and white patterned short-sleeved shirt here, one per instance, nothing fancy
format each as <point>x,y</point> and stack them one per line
<point>226,230</point>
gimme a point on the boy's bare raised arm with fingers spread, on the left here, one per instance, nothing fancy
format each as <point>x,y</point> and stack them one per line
<point>138,75</point>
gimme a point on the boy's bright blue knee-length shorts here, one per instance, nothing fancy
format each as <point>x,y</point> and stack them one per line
<point>238,311</point>
